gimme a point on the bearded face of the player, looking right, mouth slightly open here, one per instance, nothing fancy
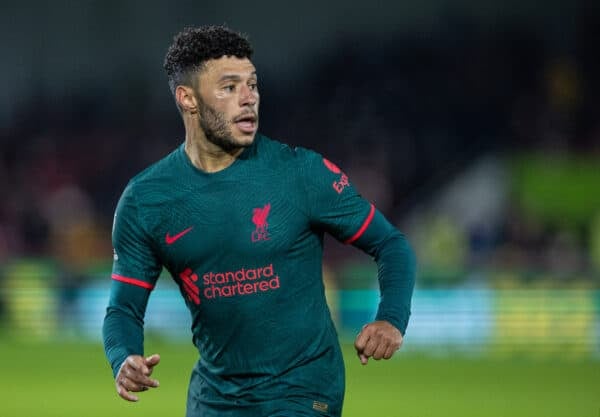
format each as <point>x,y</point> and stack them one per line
<point>228,101</point>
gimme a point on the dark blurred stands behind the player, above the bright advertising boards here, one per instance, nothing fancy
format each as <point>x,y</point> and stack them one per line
<point>474,126</point>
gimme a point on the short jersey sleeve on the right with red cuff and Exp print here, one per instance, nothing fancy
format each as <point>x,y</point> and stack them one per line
<point>332,203</point>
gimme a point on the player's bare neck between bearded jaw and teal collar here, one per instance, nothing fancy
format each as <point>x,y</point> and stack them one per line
<point>205,155</point>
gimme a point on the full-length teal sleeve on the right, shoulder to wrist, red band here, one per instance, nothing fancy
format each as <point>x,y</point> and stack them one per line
<point>335,206</point>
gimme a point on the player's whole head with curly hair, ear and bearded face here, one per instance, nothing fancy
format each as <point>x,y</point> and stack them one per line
<point>213,80</point>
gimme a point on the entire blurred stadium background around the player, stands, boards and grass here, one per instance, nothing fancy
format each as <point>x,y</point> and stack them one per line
<point>474,126</point>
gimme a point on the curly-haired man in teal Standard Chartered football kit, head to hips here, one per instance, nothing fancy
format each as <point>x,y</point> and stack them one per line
<point>238,220</point>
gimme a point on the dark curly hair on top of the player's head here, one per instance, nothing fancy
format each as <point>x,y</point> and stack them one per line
<point>192,47</point>
